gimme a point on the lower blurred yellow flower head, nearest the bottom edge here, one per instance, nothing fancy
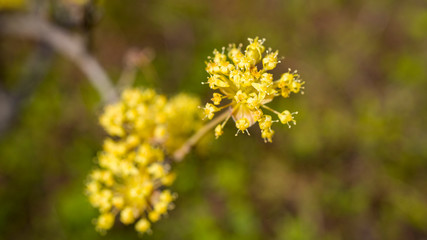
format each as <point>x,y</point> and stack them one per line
<point>130,184</point>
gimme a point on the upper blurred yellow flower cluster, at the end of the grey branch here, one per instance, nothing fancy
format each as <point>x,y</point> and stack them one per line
<point>150,117</point>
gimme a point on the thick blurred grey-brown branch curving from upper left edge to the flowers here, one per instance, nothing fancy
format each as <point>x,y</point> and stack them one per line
<point>68,45</point>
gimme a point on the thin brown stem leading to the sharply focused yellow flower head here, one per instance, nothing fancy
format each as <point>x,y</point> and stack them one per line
<point>179,154</point>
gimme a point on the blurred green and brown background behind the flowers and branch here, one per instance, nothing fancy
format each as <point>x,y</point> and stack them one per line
<point>354,167</point>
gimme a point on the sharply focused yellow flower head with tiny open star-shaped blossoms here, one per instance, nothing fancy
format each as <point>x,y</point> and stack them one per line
<point>247,89</point>
